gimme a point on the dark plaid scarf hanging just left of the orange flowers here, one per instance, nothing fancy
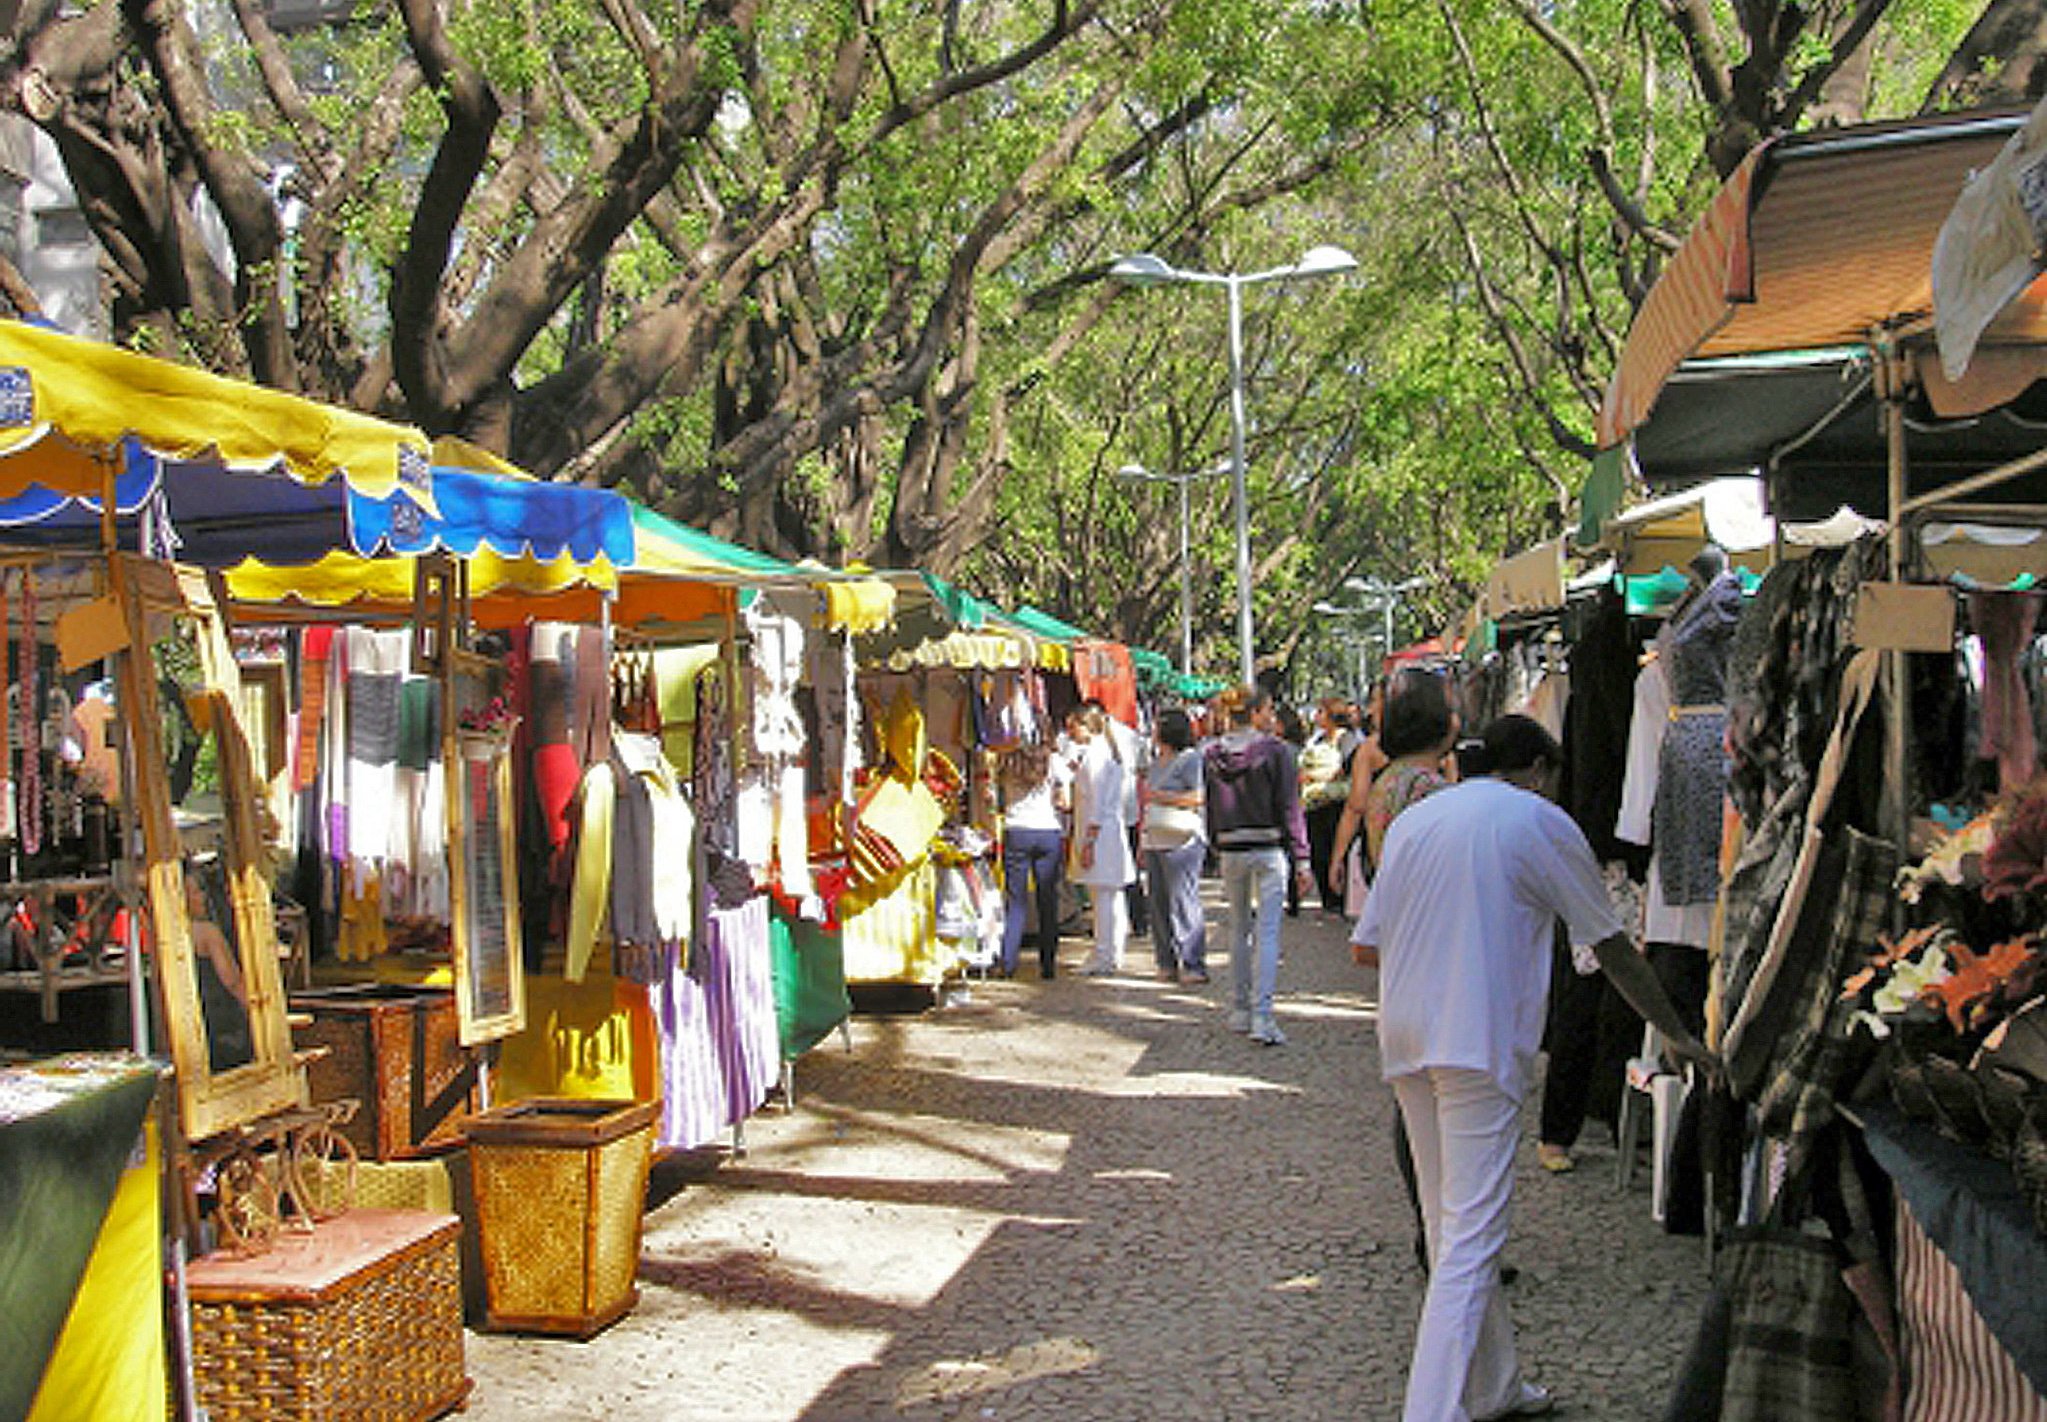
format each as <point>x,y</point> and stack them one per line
<point>1819,1055</point>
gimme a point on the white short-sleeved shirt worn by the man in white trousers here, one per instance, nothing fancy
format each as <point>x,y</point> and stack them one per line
<point>1463,912</point>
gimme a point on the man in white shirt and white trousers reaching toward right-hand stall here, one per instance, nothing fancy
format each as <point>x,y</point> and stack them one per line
<point>1461,920</point>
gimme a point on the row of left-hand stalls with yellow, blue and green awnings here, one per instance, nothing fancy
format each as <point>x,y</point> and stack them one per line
<point>394,797</point>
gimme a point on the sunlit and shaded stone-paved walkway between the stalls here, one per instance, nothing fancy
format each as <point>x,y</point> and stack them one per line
<point>1088,1200</point>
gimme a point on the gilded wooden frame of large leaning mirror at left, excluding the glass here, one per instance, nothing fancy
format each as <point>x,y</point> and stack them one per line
<point>271,1081</point>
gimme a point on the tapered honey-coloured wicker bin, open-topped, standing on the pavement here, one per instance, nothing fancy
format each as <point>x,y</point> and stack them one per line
<point>560,1190</point>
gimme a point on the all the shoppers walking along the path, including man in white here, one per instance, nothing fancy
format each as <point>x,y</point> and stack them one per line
<point>1463,879</point>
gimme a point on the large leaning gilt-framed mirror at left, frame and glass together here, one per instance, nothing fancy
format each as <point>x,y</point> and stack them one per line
<point>204,860</point>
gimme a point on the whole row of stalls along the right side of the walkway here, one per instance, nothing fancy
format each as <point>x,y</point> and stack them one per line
<point>1837,384</point>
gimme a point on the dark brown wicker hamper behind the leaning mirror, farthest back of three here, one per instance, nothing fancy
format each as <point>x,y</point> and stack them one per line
<point>396,1051</point>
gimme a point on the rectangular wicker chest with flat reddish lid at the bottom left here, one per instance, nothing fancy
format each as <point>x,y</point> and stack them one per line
<point>361,1319</point>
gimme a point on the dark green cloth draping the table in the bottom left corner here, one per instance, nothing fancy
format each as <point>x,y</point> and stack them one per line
<point>58,1175</point>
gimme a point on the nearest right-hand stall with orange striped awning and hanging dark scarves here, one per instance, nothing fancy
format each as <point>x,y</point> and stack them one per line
<point>1868,711</point>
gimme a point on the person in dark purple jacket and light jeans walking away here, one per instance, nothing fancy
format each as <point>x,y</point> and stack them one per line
<point>1260,836</point>
